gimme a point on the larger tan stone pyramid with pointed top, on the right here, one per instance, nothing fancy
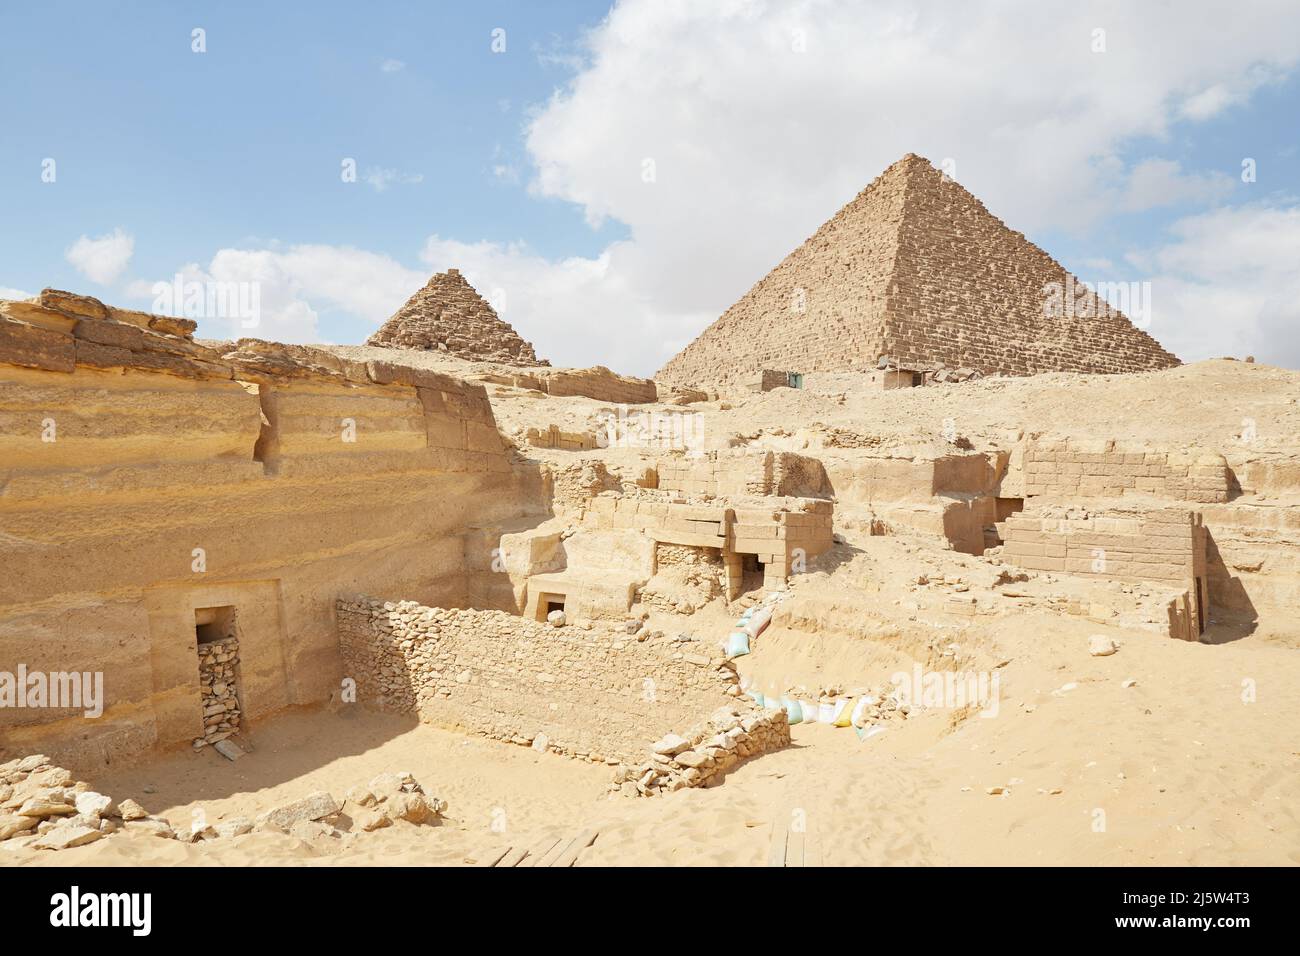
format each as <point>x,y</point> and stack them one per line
<point>918,270</point>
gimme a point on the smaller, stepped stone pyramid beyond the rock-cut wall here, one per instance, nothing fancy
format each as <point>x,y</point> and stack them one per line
<point>449,315</point>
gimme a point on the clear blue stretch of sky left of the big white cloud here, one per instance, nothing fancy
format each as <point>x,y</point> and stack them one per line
<point>244,144</point>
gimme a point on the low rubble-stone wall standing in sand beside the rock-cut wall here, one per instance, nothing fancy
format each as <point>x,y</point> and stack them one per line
<point>592,694</point>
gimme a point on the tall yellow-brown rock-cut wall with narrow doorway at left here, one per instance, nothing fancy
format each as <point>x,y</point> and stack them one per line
<point>146,479</point>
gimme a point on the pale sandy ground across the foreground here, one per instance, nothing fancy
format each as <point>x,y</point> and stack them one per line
<point>1177,769</point>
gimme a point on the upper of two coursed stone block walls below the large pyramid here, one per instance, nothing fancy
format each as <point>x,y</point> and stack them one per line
<point>1065,470</point>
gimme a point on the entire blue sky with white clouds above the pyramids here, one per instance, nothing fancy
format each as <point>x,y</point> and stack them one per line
<point>527,167</point>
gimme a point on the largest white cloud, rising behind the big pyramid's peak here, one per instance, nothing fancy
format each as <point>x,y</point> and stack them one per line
<point>756,144</point>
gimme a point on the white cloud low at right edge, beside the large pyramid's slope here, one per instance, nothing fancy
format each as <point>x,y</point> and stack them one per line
<point>1229,285</point>
